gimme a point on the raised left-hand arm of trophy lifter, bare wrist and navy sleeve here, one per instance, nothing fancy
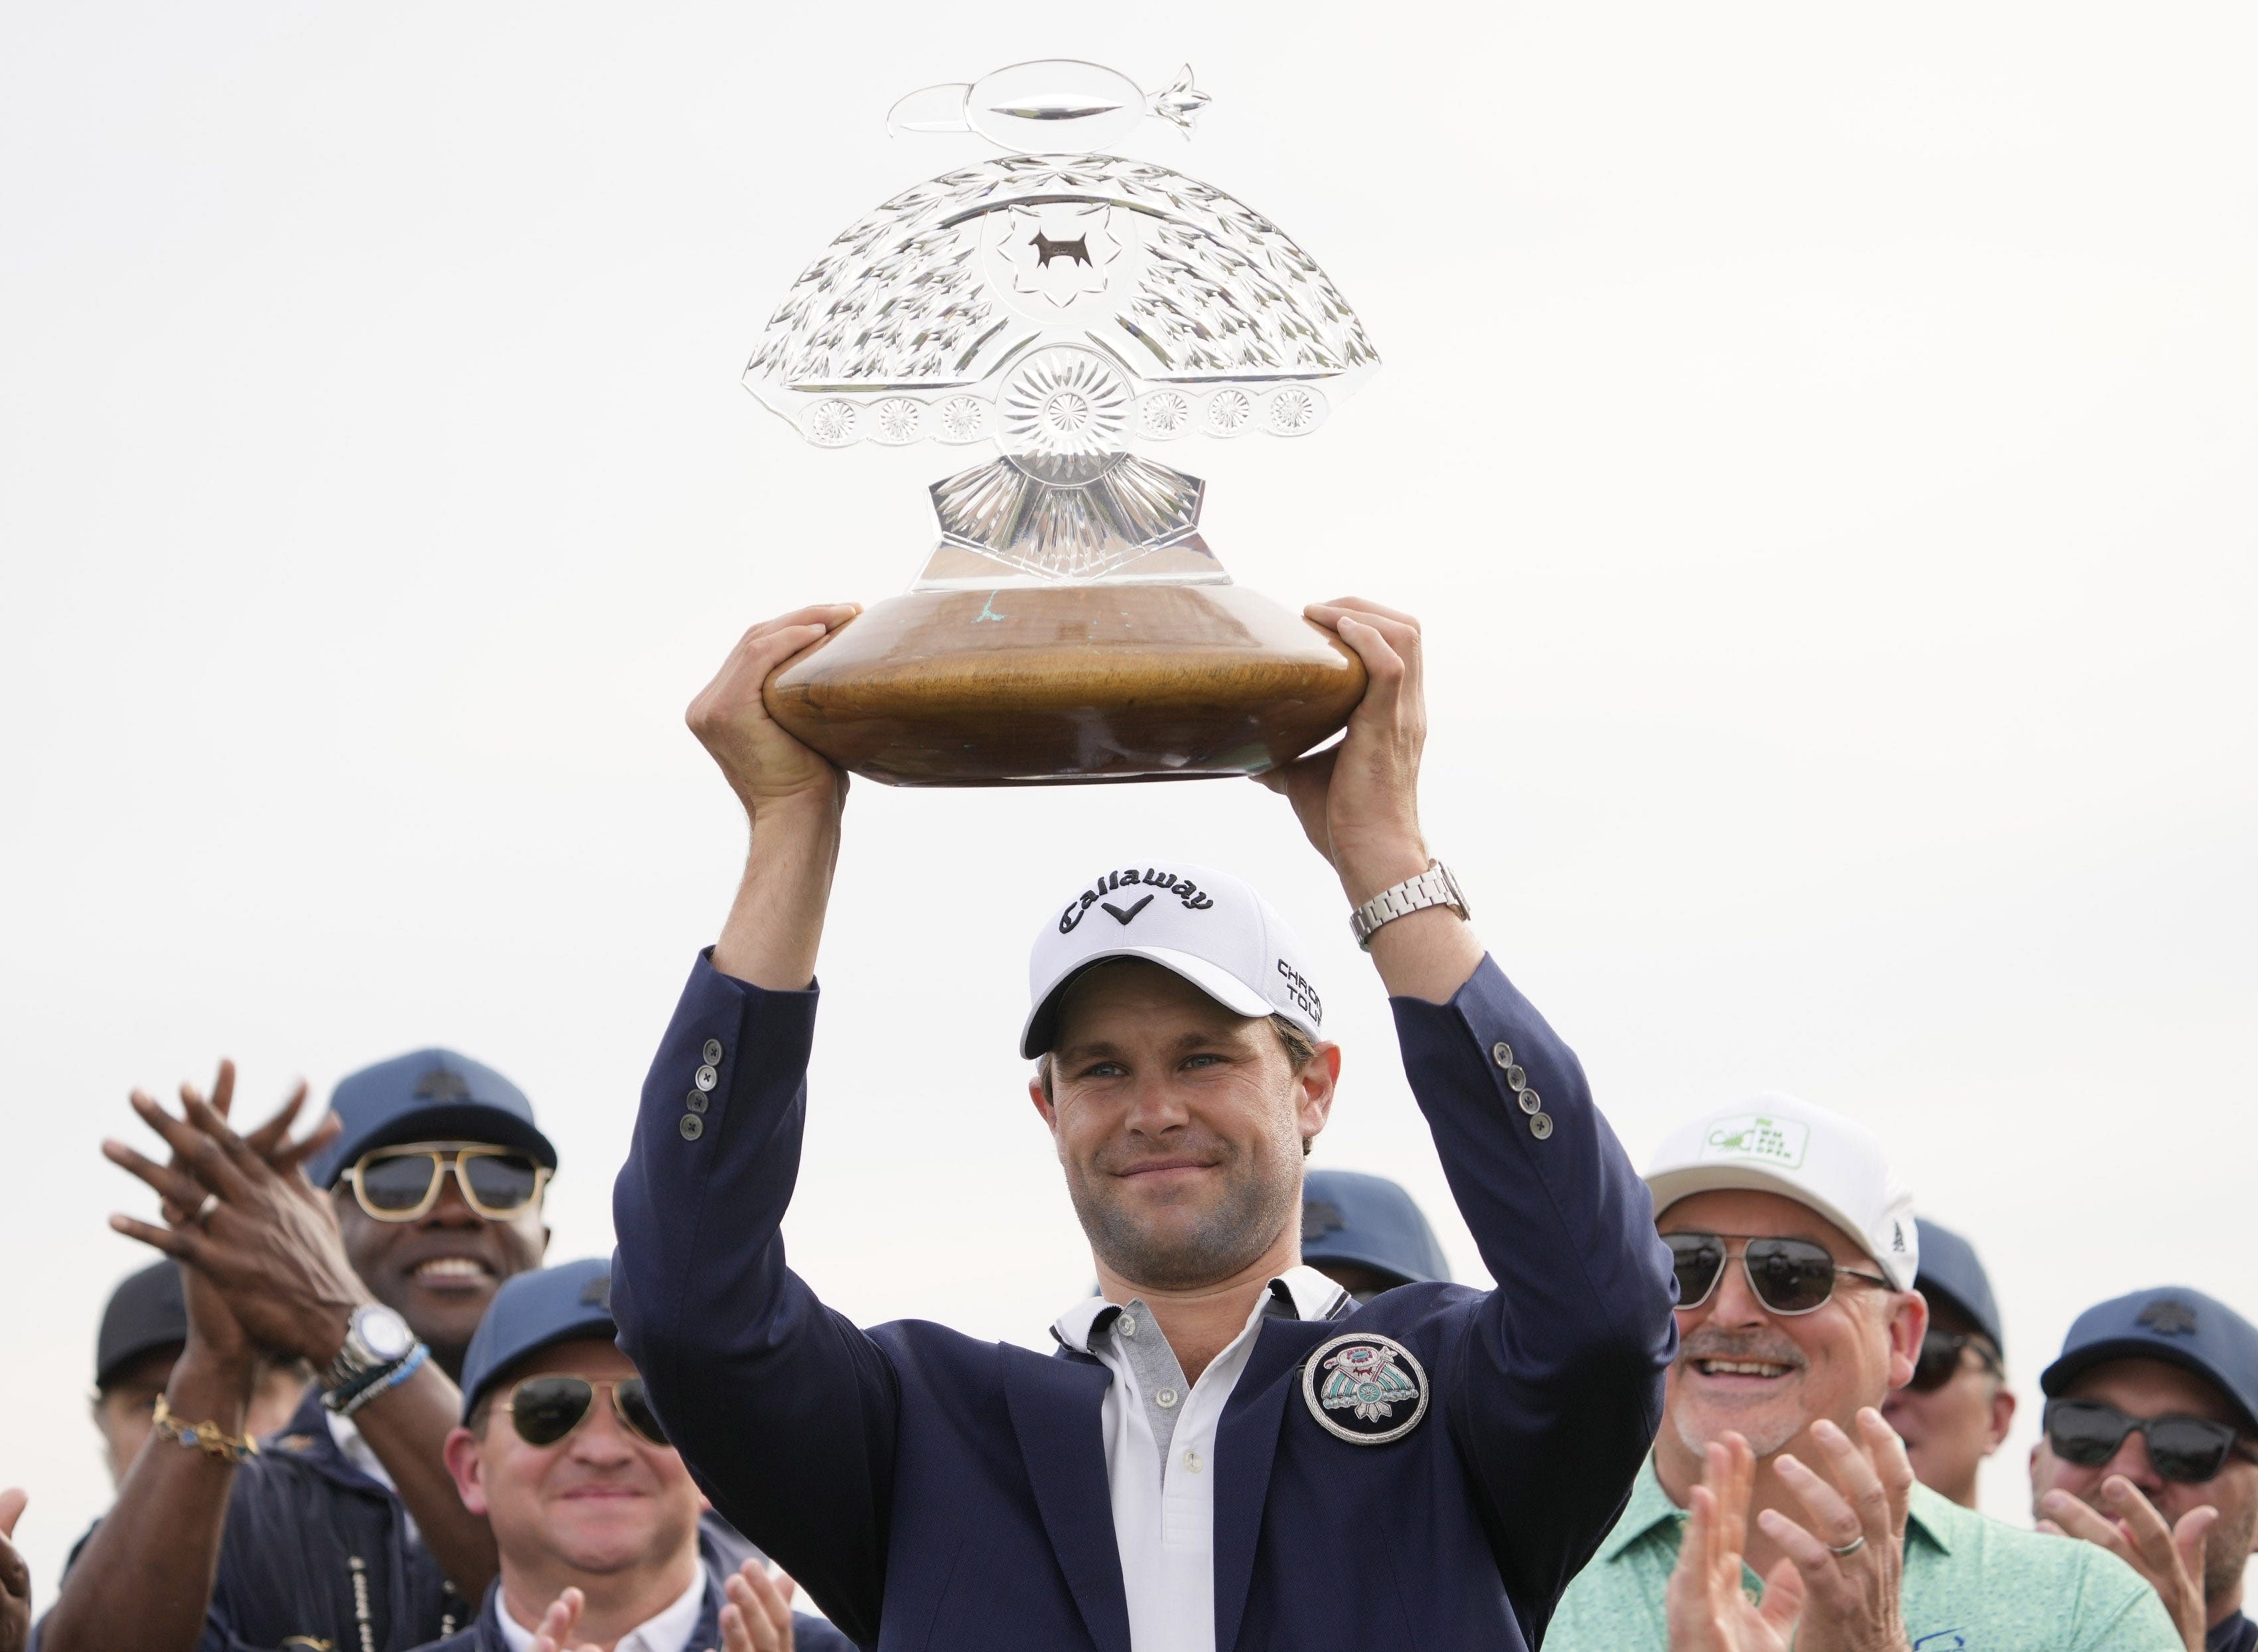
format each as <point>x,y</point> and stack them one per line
<point>782,1409</point>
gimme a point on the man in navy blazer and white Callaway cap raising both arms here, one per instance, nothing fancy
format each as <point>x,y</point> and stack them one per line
<point>1227,1452</point>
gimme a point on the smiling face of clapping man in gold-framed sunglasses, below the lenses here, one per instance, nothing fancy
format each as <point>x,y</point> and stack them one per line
<point>441,1269</point>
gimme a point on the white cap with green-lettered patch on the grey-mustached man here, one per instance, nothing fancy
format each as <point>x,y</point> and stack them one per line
<point>1780,1145</point>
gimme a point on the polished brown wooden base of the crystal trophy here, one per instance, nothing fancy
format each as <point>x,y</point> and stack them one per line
<point>1069,685</point>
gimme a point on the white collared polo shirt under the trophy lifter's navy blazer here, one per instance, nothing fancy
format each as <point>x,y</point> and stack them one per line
<point>1162,1452</point>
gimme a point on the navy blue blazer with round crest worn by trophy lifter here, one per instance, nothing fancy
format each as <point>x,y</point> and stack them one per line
<point>936,1493</point>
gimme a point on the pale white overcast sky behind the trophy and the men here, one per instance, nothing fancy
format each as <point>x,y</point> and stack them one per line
<point>1819,441</point>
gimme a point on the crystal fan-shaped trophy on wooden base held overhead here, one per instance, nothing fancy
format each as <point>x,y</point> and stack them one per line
<point>1065,306</point>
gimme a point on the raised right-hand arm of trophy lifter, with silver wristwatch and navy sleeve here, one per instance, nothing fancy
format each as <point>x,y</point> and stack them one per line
<point>1561,1382</point>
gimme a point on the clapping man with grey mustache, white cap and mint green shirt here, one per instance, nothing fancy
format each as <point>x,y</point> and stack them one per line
<point>1796,1254</point>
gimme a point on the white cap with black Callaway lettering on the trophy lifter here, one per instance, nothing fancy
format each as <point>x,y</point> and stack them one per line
<point>1207,926</point>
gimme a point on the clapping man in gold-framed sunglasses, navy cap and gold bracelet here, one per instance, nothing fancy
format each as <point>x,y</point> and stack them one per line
<point>344,1527</point>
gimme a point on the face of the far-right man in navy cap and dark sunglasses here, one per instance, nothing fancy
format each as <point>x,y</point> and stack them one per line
<point>2160,1389</point>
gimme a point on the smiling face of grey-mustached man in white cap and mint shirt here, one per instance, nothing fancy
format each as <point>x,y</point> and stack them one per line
<point>1771,1376</point>
